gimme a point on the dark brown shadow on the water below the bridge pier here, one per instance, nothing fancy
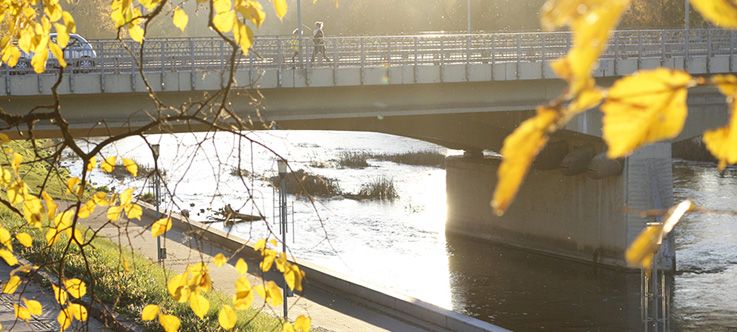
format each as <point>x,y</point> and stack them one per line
<point>523,291</point>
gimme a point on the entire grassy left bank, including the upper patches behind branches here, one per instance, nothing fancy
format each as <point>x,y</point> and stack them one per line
<point>125,291</point>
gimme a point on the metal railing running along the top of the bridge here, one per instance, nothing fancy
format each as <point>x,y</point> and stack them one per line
<point>188,54</point>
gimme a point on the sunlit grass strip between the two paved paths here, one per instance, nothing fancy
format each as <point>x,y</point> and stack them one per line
<point>126,281</point>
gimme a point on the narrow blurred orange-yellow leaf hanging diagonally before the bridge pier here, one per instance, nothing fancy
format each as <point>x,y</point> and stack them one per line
<point>518,152</point>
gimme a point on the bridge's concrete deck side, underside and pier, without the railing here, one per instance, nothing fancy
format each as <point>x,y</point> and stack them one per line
<point>558,211</point>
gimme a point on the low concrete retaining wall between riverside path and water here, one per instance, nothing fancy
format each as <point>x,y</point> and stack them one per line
<point>422,314</point>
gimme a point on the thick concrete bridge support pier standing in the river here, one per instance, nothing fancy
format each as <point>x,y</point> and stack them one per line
<point>572,216</point>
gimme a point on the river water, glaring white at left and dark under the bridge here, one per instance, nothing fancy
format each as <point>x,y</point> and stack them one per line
<point>402,245</point>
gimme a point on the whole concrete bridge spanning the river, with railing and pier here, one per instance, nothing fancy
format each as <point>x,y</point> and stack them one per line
<point>464,91</point>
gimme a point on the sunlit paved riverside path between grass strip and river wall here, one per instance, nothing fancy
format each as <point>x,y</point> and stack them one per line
<point>328,312</point>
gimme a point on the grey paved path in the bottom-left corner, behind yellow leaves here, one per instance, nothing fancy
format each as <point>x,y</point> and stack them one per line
<point>34,291</point>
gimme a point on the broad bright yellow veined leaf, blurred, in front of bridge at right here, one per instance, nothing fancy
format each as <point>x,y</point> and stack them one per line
<point>643,108</point>
